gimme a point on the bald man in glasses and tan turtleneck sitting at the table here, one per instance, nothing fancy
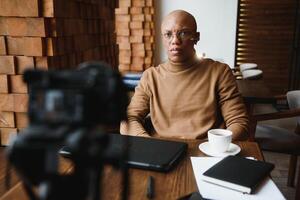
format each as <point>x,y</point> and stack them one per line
<point>186,96</point>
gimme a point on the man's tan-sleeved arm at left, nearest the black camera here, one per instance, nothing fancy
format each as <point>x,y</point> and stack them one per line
<point>137,110</point>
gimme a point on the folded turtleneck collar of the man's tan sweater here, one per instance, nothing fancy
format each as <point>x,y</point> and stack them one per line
<point>181,66</point>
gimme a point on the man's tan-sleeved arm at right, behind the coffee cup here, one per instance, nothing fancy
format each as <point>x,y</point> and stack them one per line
<point>232,106</point>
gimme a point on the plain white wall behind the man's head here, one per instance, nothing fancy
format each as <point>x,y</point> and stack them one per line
<point>216,21</point>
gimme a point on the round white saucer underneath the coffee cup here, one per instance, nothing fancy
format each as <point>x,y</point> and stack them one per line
<point>232,150</point>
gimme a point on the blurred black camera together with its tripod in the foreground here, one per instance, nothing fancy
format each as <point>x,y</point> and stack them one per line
<point>69,108</point>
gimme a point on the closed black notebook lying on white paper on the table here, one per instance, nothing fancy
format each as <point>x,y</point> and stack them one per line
<point>238,173</point>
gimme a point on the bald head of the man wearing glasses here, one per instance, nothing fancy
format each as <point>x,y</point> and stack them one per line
<point>179,32</point>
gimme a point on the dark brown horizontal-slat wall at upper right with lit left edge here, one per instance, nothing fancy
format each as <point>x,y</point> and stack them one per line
<point>265,34</point>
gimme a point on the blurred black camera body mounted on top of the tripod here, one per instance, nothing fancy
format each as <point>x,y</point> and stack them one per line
<point>92,95</point>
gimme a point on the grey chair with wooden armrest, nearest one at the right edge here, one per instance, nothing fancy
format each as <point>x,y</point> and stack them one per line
<point>276,139</point>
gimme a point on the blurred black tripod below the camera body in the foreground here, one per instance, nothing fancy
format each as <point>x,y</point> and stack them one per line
<point>34,154</point>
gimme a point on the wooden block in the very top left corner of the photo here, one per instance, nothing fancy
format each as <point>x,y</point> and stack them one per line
<point>20,8</point>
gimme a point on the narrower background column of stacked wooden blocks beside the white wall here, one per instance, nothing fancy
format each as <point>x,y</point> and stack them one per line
<point>141,36</point>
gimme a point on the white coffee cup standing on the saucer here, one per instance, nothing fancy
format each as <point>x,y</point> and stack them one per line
<point>219,139</point>
